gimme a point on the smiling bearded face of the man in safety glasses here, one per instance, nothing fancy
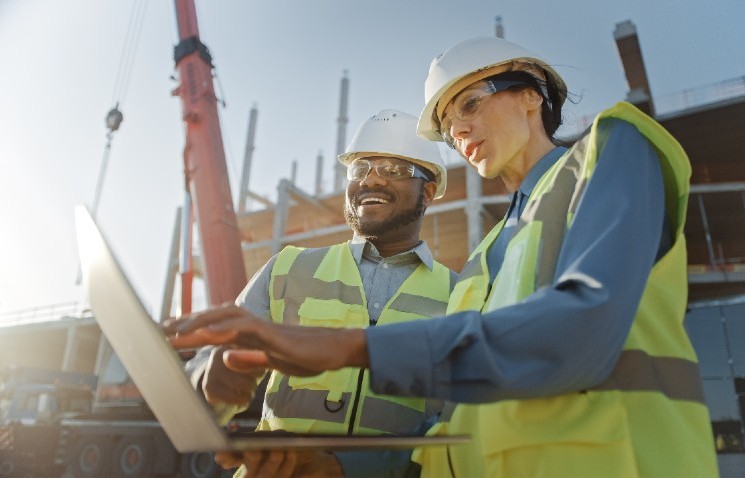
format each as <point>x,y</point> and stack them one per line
<point>387,209</point>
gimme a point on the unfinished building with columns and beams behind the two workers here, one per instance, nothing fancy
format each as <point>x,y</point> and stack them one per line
<point>708,122</point>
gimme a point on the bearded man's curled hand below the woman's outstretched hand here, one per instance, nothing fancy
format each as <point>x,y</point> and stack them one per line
<point>224,382</point>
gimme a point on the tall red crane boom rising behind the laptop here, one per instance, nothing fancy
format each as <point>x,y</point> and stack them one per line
<point>204,163</point>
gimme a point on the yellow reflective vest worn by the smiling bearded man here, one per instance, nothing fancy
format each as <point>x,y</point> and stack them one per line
<point>323,288</point>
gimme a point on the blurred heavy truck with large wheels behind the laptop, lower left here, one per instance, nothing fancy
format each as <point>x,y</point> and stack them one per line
<point>79,425</point>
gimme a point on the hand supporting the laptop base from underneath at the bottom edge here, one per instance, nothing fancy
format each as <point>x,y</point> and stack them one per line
<point>283,464</point>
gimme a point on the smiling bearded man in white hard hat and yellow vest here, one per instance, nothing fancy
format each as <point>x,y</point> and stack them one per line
<point>386,274</point>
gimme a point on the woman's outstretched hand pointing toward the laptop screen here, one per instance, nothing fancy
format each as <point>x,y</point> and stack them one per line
<point>292,350</point>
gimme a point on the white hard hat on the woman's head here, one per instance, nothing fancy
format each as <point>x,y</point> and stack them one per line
<point>475,59</point>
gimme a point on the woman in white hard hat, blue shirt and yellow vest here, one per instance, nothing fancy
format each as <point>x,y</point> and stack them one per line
<point>564,342</point>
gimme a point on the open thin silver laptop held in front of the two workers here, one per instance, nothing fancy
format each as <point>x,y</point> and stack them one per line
<point>158,371</point>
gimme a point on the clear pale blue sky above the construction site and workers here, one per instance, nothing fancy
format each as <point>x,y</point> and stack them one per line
<point>59,64</point>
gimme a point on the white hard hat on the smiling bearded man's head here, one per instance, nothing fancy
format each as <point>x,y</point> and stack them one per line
<point>393,133</point>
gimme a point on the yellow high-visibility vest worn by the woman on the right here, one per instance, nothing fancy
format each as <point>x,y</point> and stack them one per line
<point>648,419</point>
